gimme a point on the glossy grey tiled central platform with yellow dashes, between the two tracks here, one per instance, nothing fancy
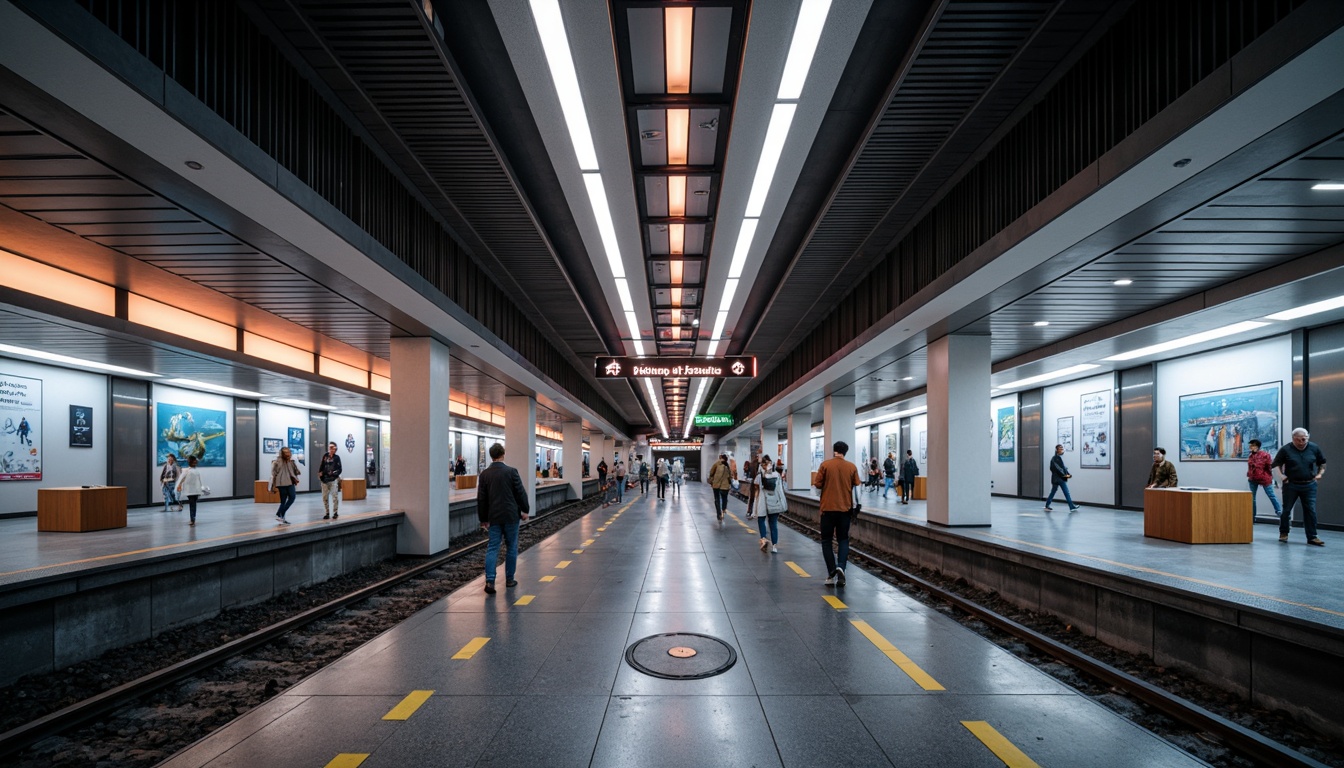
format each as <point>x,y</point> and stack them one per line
<point>537,675</point>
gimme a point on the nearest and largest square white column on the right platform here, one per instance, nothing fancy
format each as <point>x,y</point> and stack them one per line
<point>959,438</point>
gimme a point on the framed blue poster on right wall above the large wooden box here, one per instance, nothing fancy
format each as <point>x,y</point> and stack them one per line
<point>1220,426</point>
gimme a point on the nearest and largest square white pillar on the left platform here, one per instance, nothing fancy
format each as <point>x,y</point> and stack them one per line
<point>424,446</point>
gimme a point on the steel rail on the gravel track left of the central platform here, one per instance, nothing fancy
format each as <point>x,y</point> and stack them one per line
<point>112,699</point>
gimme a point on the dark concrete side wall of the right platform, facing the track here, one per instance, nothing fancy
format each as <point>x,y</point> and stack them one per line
<point>1277,661</point>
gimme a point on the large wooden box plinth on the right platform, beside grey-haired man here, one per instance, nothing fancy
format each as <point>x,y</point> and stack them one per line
<point>1206,516</point>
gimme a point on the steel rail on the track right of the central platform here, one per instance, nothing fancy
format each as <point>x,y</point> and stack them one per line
<point>1267,751</point>
